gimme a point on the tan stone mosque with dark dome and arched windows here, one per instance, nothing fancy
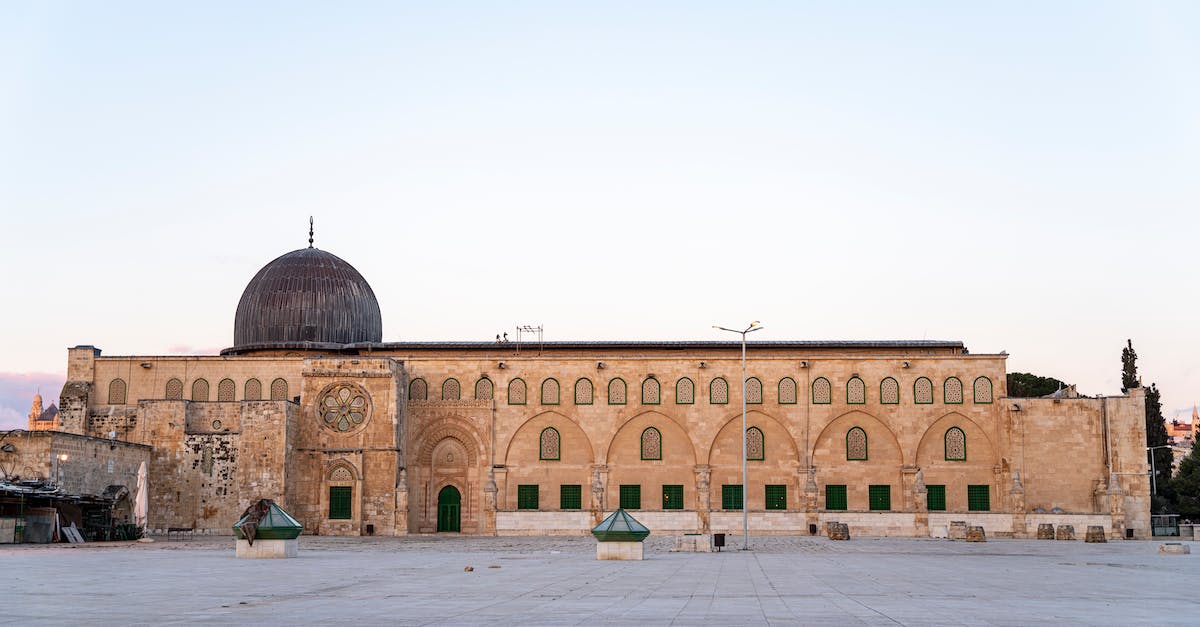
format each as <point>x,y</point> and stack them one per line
<point>356,435</point>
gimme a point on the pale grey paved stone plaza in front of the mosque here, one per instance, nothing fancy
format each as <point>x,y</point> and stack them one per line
<point>556,581</point>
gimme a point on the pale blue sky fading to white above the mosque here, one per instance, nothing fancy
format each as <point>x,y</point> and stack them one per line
<point>1017,176</point>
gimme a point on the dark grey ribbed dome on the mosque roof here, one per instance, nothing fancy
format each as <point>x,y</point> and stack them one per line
<point>308,296</point>
